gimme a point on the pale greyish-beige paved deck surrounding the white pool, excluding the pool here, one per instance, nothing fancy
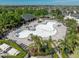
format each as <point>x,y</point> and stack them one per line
<point>61,32</point>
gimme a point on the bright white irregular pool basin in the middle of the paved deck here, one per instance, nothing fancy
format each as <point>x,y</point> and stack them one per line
<point>42,30</point>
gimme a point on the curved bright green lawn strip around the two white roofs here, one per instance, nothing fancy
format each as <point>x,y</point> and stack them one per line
<point>16,46</point>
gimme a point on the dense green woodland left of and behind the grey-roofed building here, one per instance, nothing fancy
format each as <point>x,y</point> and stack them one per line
<point>11,17</point>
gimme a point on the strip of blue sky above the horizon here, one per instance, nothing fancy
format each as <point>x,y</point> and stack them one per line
<point>39,2</point>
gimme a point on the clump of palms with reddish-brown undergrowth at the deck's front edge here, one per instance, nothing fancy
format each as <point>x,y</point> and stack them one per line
<point>43,46</point>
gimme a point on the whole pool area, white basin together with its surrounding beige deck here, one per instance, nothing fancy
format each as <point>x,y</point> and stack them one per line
<point>44,29</point>
